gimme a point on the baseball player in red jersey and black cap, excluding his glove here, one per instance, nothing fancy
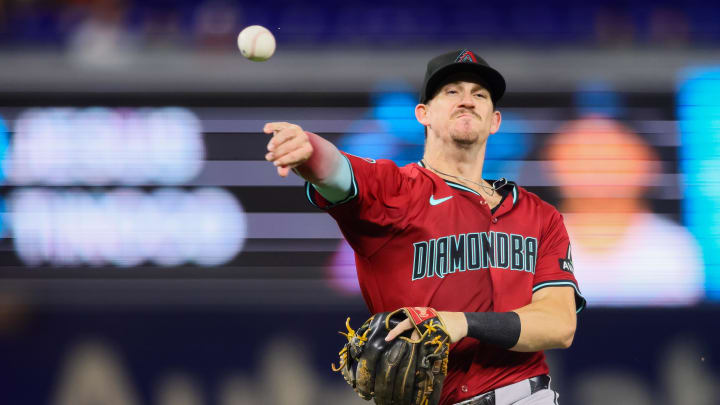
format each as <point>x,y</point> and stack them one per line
<point>493,258</point>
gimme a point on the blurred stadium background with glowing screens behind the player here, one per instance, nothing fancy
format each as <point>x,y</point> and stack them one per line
<point>150,256</point>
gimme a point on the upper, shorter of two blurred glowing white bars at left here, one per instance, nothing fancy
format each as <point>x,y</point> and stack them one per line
<point>101,146</point>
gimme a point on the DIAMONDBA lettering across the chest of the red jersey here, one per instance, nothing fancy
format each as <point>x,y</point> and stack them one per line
<point>473,251</point>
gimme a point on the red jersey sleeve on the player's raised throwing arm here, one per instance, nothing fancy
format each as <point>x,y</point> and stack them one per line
<point>376,208</point>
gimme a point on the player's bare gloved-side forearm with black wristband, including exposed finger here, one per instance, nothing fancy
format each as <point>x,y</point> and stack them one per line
<point>548,322</point>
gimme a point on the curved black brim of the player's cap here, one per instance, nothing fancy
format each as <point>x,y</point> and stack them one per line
<point>489,77</point>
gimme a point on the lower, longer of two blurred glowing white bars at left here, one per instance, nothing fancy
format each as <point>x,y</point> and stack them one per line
<point>126,227</point>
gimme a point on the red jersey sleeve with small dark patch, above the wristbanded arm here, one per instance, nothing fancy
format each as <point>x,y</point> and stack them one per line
<point>554,264</point>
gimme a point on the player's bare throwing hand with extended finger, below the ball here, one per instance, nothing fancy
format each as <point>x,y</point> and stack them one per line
<point>289,146</point>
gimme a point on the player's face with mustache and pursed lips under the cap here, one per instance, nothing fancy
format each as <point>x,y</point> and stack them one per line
<point>461,111</point>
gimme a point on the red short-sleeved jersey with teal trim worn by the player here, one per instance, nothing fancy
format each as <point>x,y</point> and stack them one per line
<point>420,240</point>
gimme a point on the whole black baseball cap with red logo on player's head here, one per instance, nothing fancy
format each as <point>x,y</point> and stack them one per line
<point>442,67</point>
